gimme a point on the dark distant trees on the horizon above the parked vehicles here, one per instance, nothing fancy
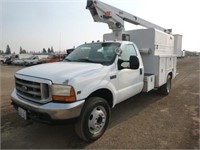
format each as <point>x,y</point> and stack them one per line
<point>23,51</point>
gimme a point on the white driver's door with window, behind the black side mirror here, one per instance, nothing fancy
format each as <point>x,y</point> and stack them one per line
<point>130,82</point>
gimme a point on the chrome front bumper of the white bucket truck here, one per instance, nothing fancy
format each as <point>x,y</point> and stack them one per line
<point>55,111</point>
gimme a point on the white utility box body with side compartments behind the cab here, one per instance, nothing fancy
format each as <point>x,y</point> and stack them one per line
<point>157,51</point>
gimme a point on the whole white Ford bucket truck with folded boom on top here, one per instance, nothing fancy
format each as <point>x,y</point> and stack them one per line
<point>96,76</point>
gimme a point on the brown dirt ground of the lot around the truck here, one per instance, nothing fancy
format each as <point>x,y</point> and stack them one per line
<point>145,121</point>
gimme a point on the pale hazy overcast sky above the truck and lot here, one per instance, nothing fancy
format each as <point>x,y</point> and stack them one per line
<point>38,24</point>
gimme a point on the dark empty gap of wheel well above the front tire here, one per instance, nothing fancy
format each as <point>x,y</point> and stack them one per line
<point>104,93</point>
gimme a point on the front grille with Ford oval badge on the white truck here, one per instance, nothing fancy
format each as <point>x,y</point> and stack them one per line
<point>31,90</point>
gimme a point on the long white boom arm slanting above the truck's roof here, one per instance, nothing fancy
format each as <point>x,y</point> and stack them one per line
<point>115,17</point>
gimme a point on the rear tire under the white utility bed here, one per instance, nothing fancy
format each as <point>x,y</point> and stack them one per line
<point>165,89</point>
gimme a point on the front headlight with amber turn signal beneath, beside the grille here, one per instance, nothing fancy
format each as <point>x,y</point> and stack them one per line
<point>63,93</point>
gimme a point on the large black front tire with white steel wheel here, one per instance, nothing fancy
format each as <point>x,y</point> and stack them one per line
<point>93,120</point>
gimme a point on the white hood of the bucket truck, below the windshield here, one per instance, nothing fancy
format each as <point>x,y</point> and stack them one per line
<point>59,72</point>
